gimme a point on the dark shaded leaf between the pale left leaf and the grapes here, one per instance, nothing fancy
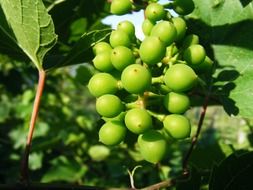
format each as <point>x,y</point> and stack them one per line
<point>81,52</point>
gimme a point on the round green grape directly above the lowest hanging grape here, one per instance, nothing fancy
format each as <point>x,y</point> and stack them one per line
<point>138,120</point>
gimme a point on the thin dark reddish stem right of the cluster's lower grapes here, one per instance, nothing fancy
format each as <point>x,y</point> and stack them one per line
<point>195,137</point>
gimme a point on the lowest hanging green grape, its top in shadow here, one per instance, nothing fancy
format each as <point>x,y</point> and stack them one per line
<point>153,146</point>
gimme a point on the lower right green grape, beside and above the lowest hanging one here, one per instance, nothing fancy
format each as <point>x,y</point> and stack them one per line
<point>178,126</point>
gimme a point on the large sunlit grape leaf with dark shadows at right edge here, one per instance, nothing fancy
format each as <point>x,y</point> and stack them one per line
<point>227,26</point>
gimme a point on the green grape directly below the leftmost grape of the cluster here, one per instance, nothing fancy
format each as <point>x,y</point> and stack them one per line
<point>109,105</point>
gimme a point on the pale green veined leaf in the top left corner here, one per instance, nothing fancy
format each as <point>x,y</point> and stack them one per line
<point>27,24</point>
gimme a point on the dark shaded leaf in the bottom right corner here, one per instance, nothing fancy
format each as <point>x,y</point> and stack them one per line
<point>235,172</point>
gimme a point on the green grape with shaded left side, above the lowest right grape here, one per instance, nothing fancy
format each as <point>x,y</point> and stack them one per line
<point>176,102</point>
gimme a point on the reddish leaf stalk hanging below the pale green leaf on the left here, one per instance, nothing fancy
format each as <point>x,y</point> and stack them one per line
<point>25,160</point>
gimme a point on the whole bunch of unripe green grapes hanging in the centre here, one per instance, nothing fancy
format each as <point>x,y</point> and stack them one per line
<point>141,82</point>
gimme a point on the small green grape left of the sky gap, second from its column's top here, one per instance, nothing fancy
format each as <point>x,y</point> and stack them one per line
<point>119,38</point>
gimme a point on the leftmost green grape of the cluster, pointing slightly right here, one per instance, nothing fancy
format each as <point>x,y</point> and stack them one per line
<point>102,83</point>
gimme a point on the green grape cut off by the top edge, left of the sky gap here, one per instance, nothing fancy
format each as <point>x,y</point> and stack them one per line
<point>120,7</point>
